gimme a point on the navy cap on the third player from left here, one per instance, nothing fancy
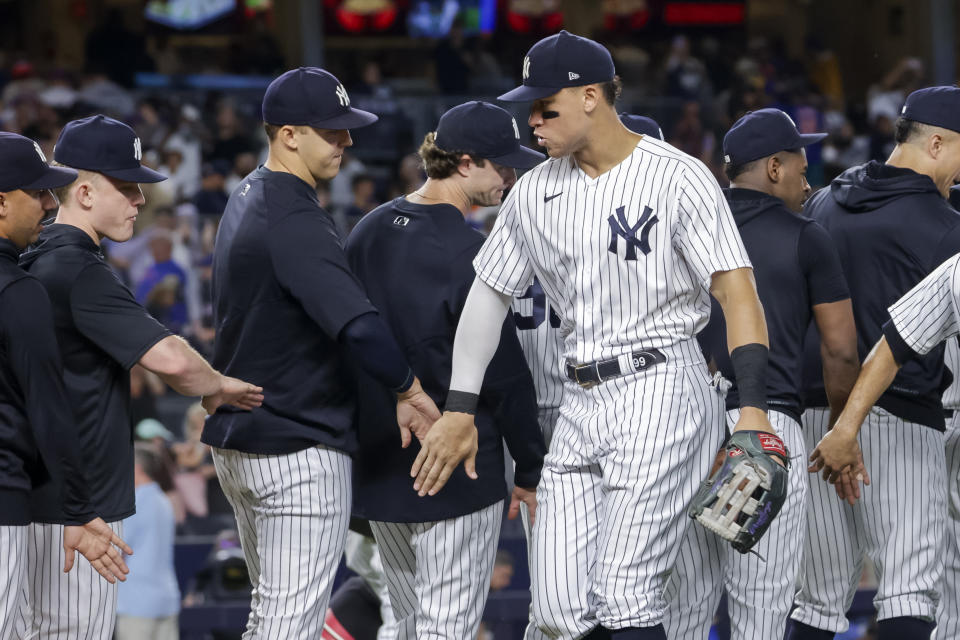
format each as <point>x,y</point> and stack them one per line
<point>310,96</point>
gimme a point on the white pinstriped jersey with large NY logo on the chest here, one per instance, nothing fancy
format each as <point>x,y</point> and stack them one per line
<point>625,258</point>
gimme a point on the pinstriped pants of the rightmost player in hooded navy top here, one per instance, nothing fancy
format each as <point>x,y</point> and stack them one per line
<point>898,523</point>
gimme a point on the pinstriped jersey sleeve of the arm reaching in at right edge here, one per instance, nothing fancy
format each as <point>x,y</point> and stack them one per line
<point>927,314</point>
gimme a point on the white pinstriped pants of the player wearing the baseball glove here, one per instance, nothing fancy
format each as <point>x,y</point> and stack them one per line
<point>625,460</point>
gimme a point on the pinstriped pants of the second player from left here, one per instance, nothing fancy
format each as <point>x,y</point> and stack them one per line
<point>79,605</point>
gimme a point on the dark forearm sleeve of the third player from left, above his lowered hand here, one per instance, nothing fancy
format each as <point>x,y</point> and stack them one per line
<point>375,350</point>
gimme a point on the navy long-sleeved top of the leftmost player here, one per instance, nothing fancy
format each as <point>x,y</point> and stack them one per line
<point>38,432</point>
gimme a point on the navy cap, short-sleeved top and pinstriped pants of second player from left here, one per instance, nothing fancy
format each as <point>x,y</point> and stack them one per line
<point>102,332</point>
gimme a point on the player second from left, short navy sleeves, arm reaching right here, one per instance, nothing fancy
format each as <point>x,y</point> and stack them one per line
<point>102,332</point>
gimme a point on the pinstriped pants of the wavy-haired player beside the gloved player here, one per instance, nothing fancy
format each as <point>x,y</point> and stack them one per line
<point>438,573</point>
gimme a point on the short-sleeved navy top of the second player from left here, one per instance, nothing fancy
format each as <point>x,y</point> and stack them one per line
<point>102,332</point>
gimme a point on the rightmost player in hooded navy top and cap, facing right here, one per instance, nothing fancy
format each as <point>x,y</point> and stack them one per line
<point>892,226</point>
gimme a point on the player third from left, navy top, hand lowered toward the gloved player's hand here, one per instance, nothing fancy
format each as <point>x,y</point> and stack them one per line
<point>286,308</point>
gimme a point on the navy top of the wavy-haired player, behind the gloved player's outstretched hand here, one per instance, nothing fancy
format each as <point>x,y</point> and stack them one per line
<point>416,263</point>
